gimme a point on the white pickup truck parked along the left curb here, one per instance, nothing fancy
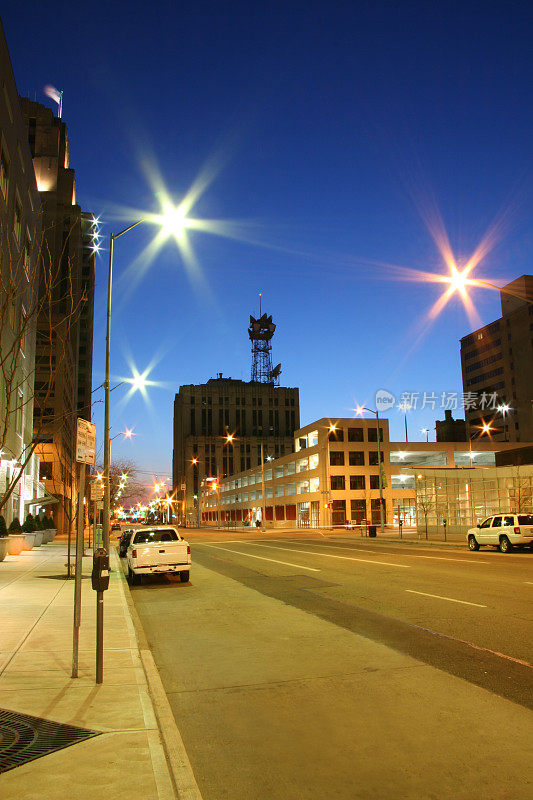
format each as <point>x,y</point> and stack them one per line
<point>158,549</point>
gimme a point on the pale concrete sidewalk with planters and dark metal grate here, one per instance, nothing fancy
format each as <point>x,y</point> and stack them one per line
<point>127,757</point>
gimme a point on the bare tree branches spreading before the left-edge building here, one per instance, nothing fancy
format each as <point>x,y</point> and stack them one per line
<point>40,302</point>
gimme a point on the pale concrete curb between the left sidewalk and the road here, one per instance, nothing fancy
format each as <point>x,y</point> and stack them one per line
<point>178,762</point>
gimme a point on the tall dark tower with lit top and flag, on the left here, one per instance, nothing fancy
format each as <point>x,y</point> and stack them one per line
<point>63,374</point>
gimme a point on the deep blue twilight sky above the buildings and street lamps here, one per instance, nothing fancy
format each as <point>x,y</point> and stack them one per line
<point>334,133</point>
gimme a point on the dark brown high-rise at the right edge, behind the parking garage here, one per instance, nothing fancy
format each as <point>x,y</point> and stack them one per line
<point>497,362</point>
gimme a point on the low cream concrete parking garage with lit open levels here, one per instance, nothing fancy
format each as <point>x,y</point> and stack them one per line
<point>332,478</point>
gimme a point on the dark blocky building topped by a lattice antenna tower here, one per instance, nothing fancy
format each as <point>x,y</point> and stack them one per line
<point>219,426</point>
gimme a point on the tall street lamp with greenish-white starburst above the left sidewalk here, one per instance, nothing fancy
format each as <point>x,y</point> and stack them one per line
<point>173,220</point>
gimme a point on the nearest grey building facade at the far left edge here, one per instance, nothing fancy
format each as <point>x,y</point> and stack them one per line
<point>20,236</point>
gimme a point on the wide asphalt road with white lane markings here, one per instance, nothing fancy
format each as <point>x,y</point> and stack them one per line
<point>301,665</point>
